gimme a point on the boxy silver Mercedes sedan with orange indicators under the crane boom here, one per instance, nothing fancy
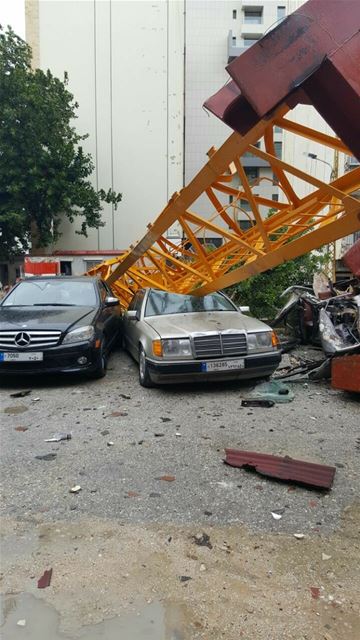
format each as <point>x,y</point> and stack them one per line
<point>184,338</point>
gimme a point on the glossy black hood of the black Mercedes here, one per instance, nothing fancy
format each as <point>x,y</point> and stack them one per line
<point>46,318</point>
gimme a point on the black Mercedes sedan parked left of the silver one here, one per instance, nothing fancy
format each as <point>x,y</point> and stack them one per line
<point>58,325</point>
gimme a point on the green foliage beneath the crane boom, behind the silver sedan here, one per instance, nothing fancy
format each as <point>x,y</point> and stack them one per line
<point>262,292</point>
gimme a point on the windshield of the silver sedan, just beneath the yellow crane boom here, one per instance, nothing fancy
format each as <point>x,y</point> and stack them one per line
<point>161,303</point>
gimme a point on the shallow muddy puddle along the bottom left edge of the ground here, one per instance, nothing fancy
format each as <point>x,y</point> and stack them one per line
<point>24,617</point>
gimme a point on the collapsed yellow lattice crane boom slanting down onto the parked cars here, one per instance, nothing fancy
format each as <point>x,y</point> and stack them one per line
<point>298,224</point>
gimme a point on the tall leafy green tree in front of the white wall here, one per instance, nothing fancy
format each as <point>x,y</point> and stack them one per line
<point>44,172</point>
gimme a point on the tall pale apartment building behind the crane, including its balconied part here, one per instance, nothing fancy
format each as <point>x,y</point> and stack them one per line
<point>141,70</point>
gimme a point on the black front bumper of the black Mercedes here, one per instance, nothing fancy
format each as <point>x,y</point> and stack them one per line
<point>61,359</point>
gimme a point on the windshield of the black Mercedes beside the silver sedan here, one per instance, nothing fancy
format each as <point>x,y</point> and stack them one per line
<point>58,293</point>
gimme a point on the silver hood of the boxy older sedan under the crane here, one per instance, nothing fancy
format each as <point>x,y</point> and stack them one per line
<point>182,325</point>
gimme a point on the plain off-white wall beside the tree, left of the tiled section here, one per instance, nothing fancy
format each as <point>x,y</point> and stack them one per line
<point>124,59</point>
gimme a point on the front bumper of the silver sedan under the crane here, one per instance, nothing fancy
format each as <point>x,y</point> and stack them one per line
<point>256,366</point>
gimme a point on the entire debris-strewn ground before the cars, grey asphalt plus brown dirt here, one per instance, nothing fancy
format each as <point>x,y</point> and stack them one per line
<point>127,536</point>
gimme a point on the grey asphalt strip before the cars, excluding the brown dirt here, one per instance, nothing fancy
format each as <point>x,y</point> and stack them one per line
<point>178,431</point>
